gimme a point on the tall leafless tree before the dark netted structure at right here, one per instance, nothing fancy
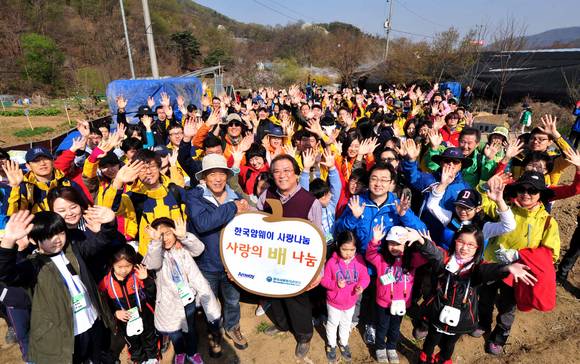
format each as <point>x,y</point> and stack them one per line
<point>507,39</point>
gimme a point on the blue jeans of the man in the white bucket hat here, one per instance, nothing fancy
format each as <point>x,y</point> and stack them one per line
<point>219,282</point>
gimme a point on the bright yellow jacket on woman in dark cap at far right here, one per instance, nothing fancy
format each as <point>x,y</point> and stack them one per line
<point>532,230</point>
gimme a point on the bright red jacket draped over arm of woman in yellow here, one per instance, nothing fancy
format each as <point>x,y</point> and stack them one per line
<point>542,295</point>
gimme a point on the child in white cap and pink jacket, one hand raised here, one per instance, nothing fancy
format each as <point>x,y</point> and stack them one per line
<point>395,275</point>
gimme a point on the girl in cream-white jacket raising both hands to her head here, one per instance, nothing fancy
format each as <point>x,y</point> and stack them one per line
<point>181,287</point>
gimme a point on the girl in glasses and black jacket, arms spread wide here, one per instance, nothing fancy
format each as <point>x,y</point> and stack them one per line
<point>452,307</point>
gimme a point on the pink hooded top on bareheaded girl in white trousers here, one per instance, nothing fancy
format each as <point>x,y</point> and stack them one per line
<point>355,274</point>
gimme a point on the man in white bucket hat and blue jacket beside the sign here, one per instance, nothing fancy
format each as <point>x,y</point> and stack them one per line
<point>211,206</point>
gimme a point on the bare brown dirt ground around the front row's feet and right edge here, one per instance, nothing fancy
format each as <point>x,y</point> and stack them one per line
<point>552,337</point>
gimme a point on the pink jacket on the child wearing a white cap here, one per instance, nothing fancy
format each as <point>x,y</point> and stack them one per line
<point>401,288</point>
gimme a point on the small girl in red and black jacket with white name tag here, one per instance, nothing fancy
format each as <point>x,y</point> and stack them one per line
<point>131,294</point>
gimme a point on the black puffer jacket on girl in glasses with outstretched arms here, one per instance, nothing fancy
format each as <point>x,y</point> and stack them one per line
<point>458,290</point>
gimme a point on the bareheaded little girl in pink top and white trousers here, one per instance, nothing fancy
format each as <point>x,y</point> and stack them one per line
<point>345,278</point>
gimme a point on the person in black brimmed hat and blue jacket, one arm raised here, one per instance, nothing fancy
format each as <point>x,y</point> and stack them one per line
<point>426,181</point>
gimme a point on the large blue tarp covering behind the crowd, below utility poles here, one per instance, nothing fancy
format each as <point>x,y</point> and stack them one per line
<point>137,91</point>
